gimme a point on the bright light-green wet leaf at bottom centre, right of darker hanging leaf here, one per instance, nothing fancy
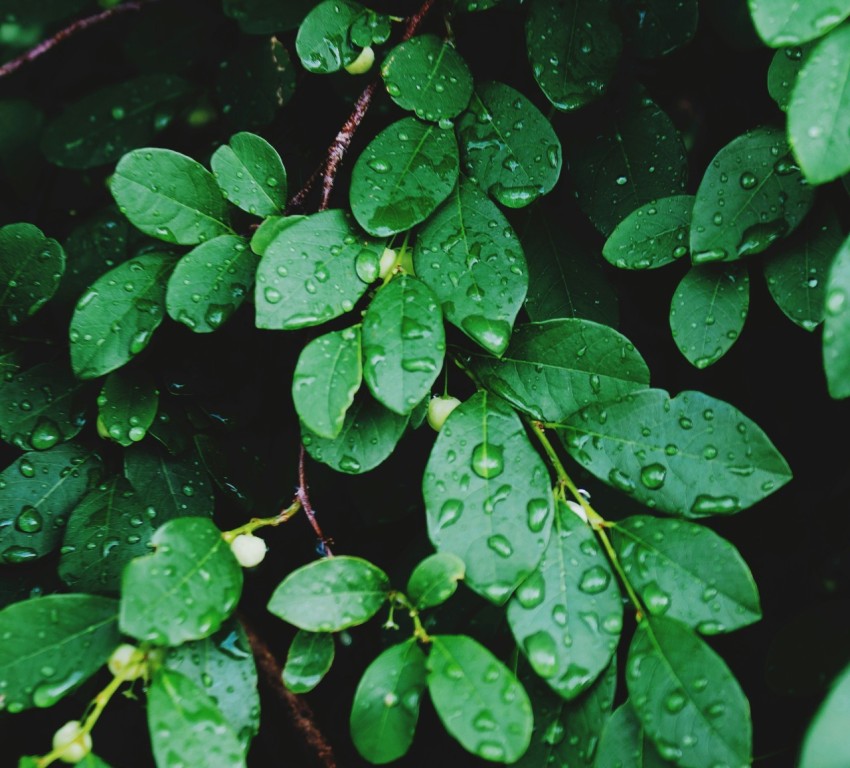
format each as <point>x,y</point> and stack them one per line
<point>479,700</point>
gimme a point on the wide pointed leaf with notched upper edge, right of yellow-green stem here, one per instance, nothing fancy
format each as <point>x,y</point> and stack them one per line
<point>692,455</point>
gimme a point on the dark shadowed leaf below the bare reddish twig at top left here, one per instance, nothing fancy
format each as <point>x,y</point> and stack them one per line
<point>110,121</point>
